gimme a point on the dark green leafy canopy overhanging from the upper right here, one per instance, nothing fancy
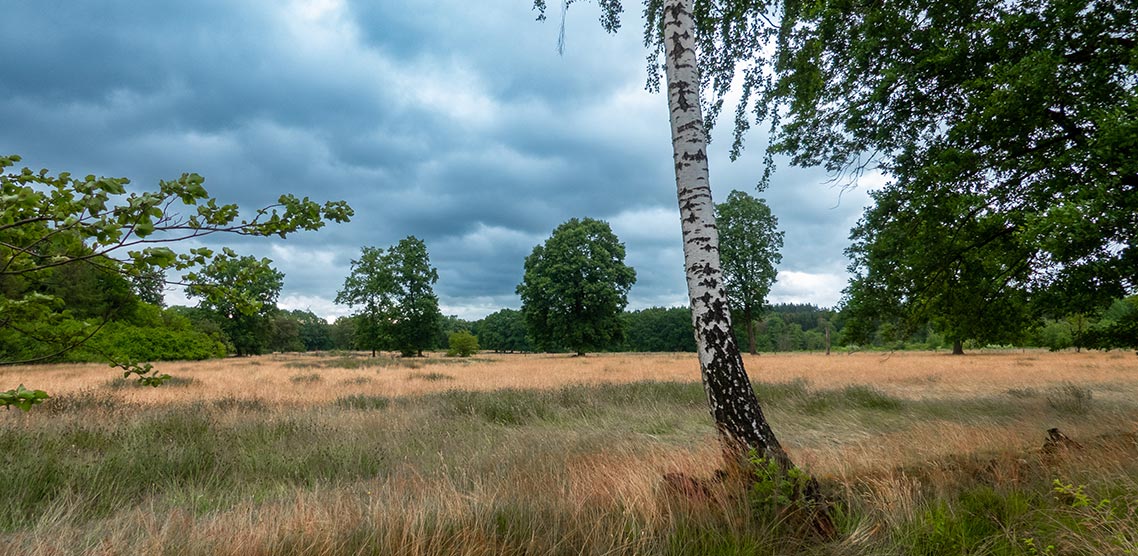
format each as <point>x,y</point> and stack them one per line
<point>1032,106</point>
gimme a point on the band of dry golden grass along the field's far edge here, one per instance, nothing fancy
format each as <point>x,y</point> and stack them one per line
<point>911,376</point>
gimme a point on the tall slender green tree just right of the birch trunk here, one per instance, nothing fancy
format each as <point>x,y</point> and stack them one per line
<point>749,244</point>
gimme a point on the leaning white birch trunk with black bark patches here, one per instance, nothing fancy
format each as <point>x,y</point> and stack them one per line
<point>731,397</point>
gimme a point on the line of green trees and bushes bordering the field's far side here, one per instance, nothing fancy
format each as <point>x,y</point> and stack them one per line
<point>574,298</point>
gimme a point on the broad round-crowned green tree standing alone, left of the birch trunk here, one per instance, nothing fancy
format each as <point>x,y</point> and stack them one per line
<point>575,287</point>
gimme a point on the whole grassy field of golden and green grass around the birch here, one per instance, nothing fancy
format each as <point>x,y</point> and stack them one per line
<point>549,455</point>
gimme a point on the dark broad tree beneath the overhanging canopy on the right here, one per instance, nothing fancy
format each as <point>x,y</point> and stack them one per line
<point>945,261</point>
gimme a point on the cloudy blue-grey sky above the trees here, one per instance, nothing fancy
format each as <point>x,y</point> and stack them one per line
<point>452,121</point>
